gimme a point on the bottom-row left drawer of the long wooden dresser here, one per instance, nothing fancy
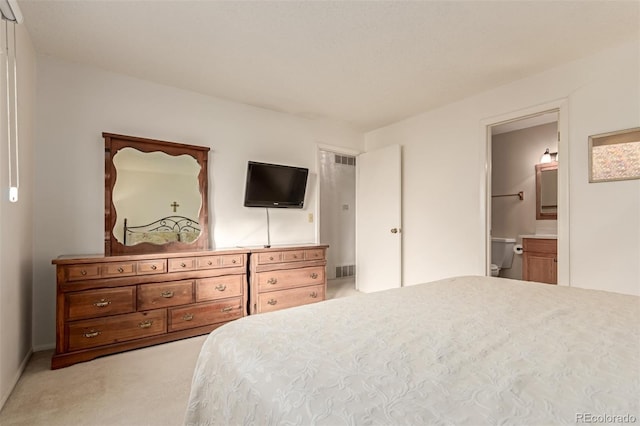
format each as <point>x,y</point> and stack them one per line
<point>119,328</point>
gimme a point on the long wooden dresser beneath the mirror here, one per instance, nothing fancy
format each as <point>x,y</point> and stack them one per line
<point>112,304</point>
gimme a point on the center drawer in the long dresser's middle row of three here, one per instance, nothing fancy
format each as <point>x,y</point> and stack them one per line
<point>162,295</point>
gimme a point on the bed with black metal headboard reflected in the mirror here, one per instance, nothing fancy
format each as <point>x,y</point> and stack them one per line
<point>165,230</point>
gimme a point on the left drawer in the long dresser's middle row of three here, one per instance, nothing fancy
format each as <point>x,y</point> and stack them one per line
<point>103,302</point>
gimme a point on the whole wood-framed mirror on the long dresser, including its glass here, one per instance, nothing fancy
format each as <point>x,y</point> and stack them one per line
<point>148,185</point>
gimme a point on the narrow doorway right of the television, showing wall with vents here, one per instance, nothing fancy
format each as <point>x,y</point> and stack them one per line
<point>337,216</point>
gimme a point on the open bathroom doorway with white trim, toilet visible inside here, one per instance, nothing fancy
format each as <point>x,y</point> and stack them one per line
<point>517,147</point>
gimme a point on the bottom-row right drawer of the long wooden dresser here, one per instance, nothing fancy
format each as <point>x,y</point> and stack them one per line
<point>206,313</point>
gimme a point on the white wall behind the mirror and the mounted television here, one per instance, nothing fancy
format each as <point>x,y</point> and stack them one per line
<point>75,104</point>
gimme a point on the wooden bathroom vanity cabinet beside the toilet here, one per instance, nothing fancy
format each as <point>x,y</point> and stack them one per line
<point>540,260</point>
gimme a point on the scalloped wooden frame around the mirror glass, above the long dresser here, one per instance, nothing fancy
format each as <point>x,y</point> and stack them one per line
<point>114,143</point>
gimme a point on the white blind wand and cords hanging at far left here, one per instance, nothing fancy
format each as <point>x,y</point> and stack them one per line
<point>11,13</point>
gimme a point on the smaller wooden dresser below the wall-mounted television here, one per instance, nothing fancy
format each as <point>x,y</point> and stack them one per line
<point>283,277</point>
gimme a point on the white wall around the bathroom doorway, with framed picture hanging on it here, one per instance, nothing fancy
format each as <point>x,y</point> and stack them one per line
<point>444,157</point>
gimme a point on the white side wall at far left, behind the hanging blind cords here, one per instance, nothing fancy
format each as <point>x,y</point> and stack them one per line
<point>16,227</point>
